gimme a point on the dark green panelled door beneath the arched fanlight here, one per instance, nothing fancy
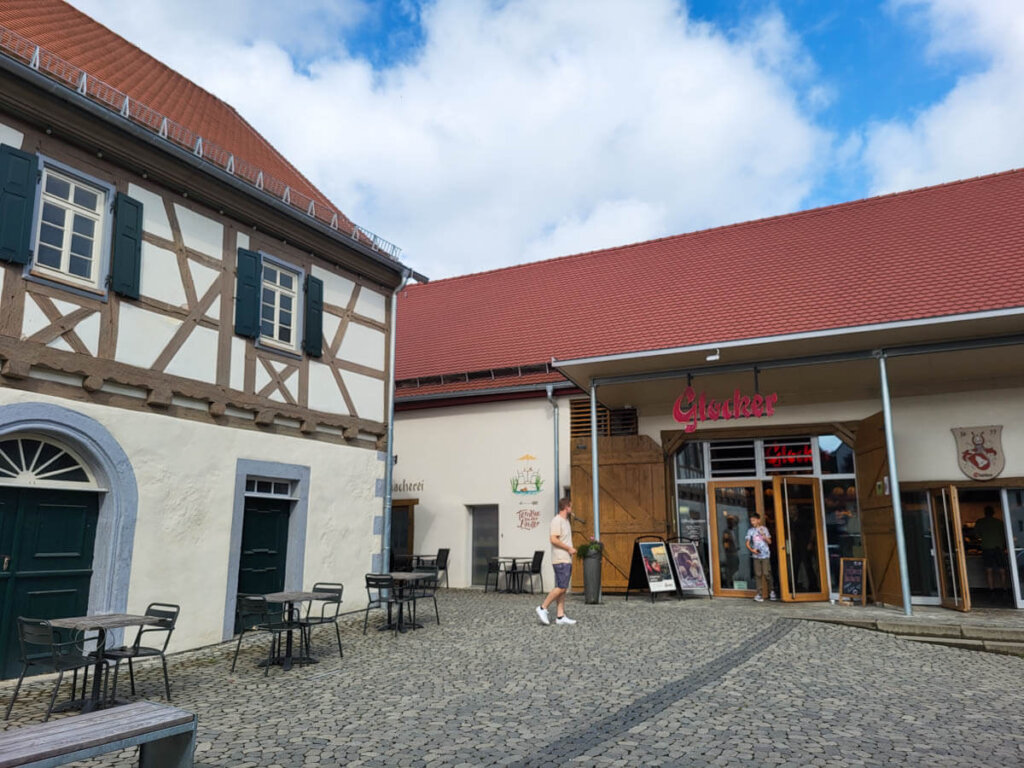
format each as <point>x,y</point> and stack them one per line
<point>47,543</point>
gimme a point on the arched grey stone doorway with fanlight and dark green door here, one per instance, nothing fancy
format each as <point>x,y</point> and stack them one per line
<point>68,508</point>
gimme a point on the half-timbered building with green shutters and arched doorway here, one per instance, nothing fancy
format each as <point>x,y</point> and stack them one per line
<point>194,346</point>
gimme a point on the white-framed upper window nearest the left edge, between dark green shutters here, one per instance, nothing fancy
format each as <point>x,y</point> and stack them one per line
<point>73,220</point>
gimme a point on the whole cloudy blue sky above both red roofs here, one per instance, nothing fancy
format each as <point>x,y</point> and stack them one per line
<point>482,134</point>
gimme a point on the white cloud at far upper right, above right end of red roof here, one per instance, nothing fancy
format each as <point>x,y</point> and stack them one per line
<point>976,127</point>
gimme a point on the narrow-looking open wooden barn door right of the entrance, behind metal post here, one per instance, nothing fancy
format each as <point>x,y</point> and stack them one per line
<point>878,522</point>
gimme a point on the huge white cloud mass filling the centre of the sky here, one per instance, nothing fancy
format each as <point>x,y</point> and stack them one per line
<point>523,130</point>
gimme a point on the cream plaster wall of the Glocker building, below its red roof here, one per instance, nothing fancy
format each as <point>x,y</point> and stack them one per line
<point>466,455</point>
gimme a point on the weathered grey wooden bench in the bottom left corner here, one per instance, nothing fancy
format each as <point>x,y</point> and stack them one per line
<point>165,736</point>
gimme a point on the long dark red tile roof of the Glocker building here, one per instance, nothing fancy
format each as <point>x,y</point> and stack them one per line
<point>946,250</point>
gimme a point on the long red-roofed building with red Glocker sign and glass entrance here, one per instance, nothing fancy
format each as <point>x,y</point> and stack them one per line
<point>854,373</point>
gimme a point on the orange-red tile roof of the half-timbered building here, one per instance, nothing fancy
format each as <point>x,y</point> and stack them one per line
<point>72,35</point>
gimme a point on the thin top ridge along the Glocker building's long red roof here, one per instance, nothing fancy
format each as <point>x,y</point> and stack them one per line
<point>807,214</point>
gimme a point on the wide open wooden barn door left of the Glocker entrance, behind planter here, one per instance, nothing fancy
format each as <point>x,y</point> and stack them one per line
<point>631,472</point>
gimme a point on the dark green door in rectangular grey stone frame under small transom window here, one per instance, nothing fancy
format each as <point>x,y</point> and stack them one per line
<point>265,546</point>
